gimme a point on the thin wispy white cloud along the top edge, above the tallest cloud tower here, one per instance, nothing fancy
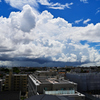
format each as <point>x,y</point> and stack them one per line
<point>34,3</point>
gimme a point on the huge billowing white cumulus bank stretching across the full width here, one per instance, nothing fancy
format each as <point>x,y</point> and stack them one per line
<point>43,37</point>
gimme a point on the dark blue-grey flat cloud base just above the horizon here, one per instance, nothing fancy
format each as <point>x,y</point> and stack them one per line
<point>38,62</point>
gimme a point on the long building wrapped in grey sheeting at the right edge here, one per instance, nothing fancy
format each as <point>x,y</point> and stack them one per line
<point>87,82</point>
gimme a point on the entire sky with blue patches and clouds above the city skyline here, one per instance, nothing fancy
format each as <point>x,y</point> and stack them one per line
<point>49,33</point>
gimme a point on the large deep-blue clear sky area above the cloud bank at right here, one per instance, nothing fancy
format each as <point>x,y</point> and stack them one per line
<point>78,11</point>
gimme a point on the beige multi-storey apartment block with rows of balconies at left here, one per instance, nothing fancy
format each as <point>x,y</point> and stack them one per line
<point>16,82</point>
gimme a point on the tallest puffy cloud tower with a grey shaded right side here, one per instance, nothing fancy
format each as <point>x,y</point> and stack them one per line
<point>25,20</point>
